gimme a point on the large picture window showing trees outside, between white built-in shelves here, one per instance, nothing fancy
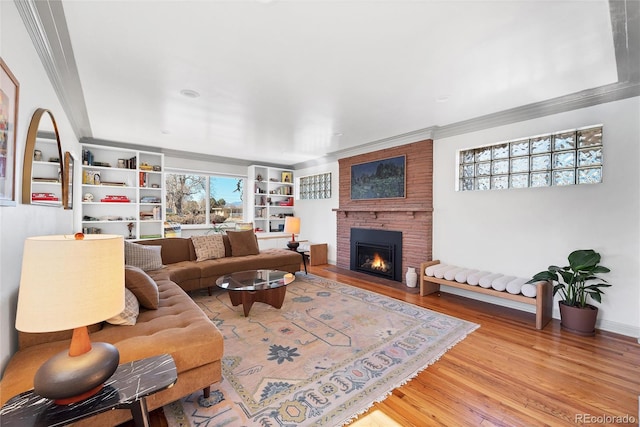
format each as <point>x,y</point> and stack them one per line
<point>204,199</point>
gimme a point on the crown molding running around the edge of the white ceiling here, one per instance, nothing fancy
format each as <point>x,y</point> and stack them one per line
<point>46,24</point>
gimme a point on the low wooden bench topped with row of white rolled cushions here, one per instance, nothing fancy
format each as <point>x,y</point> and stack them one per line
<point>540,294</point>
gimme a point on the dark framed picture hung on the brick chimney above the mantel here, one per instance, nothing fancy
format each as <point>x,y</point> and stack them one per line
<point>380,179</point>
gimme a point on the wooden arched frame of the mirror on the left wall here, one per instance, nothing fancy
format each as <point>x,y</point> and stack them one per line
<point>27,166</point>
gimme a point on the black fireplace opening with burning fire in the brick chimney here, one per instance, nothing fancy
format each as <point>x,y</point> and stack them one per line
<point>377,252</point>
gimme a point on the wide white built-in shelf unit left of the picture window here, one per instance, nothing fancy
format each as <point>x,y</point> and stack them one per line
<point>132,174</point>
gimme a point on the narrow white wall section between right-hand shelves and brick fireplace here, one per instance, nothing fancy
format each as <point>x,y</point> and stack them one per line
<point>317,220</point>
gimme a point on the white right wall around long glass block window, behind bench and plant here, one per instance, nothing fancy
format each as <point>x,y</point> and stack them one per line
<point>521,232</point>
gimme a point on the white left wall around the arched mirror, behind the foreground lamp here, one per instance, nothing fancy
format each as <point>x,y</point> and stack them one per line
<point>17,223</point>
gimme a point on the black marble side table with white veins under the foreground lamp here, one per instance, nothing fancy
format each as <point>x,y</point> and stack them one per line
<point>126,389</point>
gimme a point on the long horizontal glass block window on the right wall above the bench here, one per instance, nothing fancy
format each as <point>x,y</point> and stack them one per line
<point>560,158</point>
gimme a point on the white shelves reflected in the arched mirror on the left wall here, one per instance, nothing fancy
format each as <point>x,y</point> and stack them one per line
<point>45,175</point>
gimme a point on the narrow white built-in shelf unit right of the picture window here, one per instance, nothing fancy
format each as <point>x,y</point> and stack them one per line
<point>272,197</point>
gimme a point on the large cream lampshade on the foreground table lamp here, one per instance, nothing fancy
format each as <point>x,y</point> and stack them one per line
<point>68,283</point>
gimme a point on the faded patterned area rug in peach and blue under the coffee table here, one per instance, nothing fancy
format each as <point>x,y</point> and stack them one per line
<point>325,357</point>
